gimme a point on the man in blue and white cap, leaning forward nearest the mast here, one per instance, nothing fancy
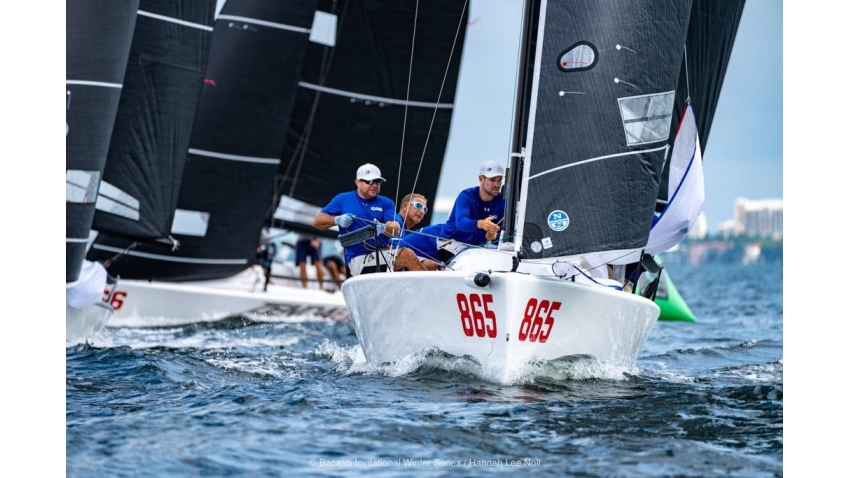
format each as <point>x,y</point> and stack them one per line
<point>474,220</point>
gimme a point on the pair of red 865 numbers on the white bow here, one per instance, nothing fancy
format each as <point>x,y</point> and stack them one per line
<point>477,319</point>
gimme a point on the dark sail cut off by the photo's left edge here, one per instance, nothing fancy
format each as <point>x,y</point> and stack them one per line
<point>98,36</point>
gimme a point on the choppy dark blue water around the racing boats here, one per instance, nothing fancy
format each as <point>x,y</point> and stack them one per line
<point>250,398</point>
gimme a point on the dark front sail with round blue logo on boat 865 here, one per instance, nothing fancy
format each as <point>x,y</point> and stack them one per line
<point>603,94</point>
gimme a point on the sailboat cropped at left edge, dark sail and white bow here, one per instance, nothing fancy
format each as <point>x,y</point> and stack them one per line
<point>97,47</point>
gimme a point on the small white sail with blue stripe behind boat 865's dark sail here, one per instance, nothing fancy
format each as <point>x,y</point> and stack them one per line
<point>686,189</point>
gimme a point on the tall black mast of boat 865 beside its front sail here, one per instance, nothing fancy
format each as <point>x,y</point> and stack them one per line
<point>512,185</point>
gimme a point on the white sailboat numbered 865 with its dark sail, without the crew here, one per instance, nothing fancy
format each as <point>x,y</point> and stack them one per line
<point>595,103</point>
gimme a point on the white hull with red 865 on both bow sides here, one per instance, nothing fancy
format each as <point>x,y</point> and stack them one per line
<point>516,319</point>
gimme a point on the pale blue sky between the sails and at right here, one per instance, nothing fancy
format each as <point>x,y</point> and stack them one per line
<point>743,157</point>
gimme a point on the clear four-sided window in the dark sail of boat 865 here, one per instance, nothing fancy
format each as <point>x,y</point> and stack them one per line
<point>646,118</point>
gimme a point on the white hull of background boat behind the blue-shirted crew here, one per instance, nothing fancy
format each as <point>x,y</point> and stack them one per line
<point>139,302</point>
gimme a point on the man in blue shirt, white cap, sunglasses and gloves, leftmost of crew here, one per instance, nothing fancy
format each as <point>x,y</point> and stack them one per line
<point>360,208</point>
